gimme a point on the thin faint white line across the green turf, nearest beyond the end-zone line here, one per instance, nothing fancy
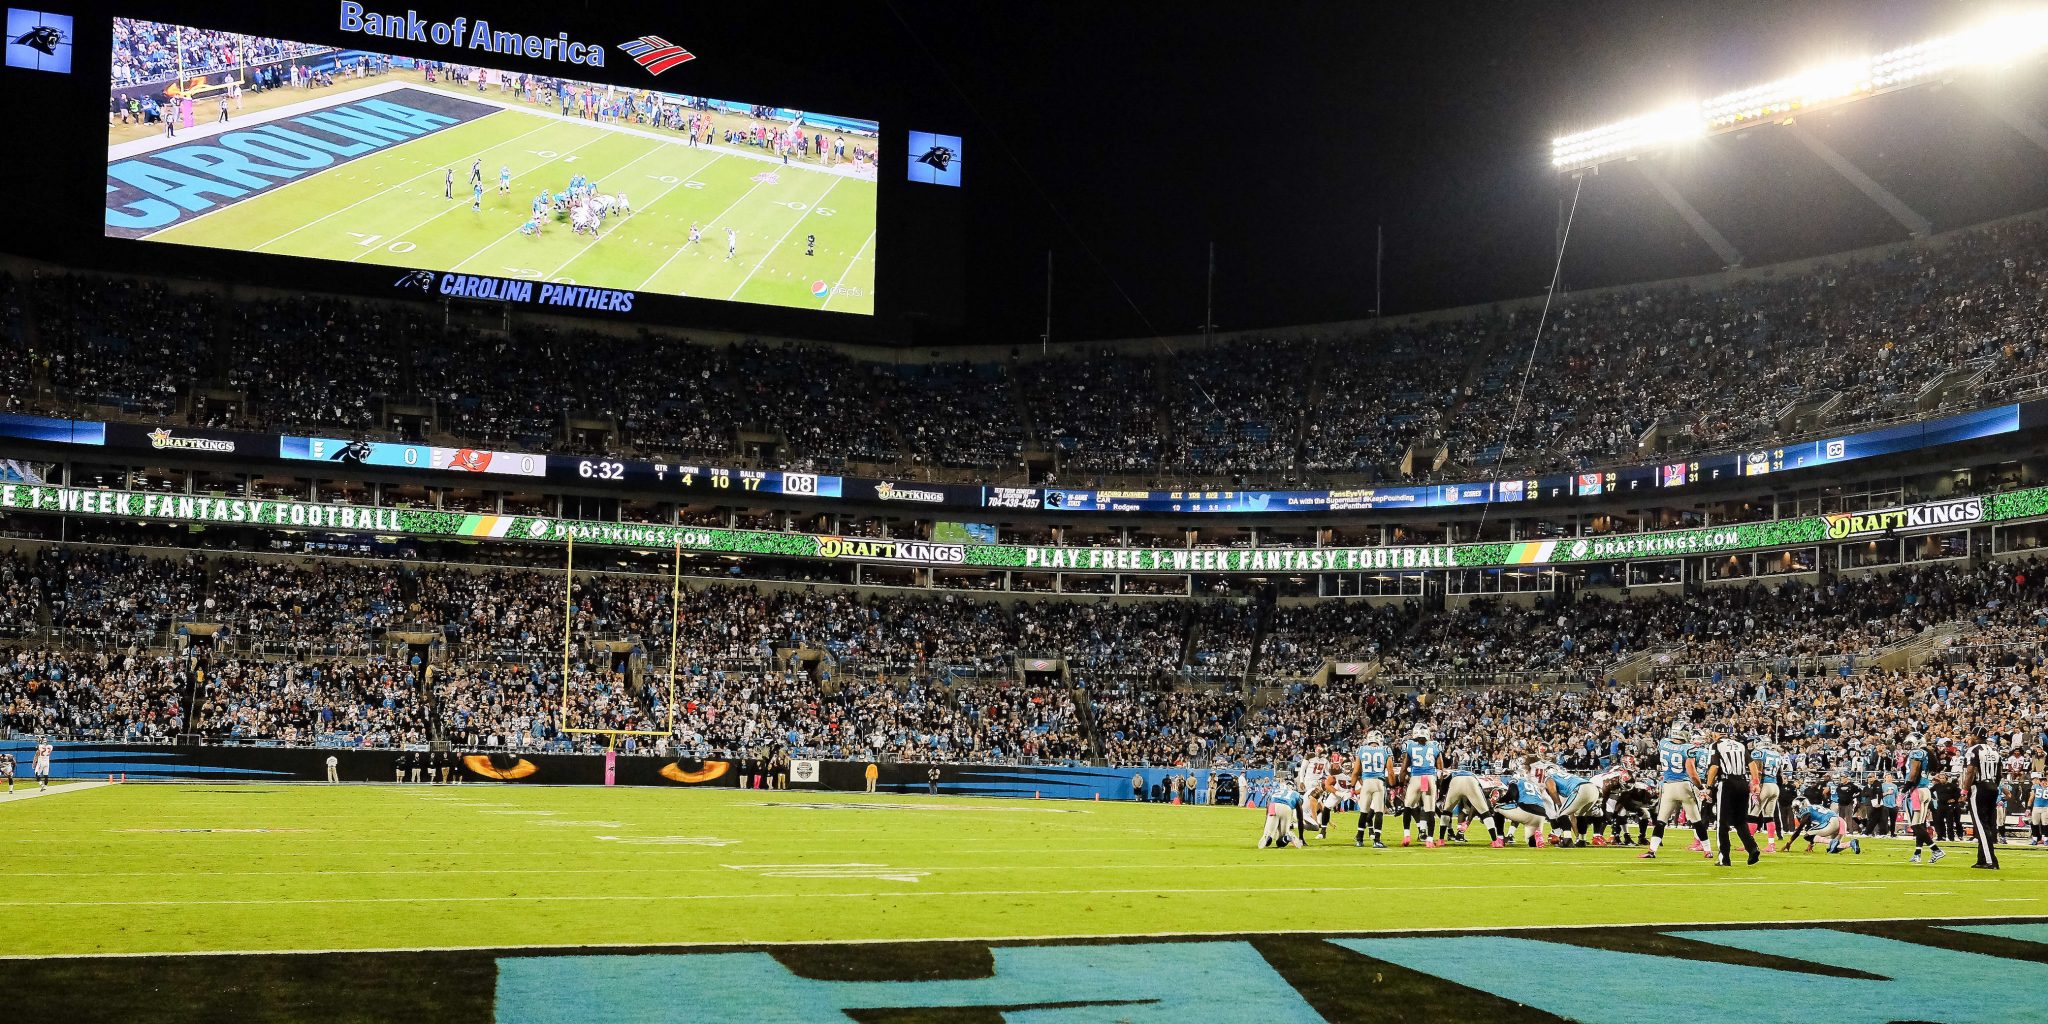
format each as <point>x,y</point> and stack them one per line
<point>691,898</point>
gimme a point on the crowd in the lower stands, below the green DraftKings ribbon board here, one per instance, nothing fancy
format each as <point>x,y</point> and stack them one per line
<point>302,656</point>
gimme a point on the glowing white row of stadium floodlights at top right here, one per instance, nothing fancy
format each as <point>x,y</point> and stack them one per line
<point>1992,44</point>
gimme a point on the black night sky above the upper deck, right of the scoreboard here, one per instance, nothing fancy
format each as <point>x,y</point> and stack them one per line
<point>1129,136</point>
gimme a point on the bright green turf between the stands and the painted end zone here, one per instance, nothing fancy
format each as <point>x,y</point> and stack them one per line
<point>136,869</point>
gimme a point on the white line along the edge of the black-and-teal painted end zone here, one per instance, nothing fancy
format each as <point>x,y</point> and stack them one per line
<point>775,943</point>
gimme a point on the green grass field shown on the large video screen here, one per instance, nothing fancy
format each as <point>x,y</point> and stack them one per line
<point>390,208</point>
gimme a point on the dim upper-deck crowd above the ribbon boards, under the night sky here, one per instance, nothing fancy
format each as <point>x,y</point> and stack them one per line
<point>1959,318</point>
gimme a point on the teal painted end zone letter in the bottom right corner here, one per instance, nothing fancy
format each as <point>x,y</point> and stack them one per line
<point>1625,988</point>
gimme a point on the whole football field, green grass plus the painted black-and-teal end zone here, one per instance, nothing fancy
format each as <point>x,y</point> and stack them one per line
<point>558,904</point>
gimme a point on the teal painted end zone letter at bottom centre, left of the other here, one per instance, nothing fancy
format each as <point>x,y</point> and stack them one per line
<point>1140,984</point>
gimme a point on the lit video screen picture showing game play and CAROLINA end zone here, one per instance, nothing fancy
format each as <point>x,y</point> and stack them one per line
<point>339,155</point>
